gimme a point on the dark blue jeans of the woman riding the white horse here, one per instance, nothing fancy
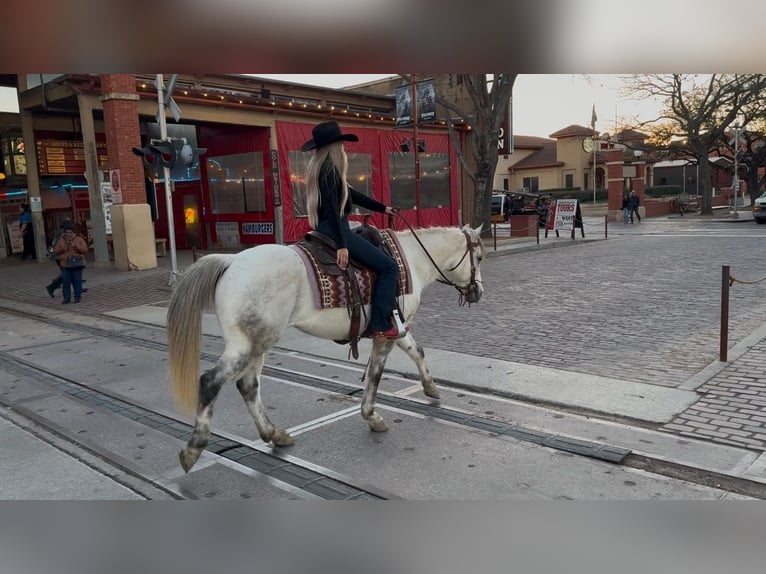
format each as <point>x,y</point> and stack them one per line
<point>386,271</point>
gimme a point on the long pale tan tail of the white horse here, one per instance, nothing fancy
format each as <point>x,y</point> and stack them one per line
<point>193,293</point>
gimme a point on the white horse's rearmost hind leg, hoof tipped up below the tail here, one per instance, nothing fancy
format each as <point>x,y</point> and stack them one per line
<point>210,384</point>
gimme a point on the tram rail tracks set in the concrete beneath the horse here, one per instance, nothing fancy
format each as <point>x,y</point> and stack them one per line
<point>303,475</point>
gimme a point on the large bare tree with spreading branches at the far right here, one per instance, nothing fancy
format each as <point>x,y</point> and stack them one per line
<point>699,112</point>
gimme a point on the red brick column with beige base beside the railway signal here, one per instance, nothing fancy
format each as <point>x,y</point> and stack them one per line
<point>132,227</point>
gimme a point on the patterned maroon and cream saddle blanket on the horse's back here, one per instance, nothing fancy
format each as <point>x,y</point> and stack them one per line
<point>330,291</point>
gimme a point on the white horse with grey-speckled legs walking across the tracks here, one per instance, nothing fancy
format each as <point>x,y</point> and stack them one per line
<point>259,292</point>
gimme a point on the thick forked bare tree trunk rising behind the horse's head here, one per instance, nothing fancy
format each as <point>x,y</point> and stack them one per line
<point>490,96</point>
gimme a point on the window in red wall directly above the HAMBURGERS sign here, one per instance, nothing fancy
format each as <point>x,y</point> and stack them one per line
<point>236,183</point>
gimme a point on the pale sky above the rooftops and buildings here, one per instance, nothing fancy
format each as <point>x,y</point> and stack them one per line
<point>542,103</point>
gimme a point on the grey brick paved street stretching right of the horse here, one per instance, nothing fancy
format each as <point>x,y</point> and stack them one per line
<point>638,306</point>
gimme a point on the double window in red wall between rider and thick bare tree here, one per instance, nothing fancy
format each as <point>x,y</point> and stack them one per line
<point>434,180</point>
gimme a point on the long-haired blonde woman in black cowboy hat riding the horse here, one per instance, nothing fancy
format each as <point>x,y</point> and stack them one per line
<point>329,200</point>
